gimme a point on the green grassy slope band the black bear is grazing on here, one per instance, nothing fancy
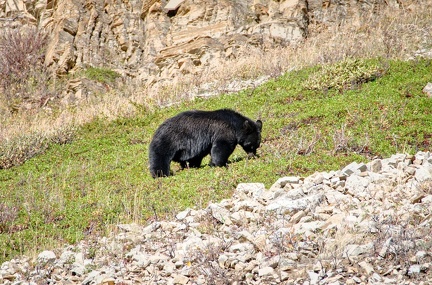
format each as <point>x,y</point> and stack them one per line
<point>102,178</point>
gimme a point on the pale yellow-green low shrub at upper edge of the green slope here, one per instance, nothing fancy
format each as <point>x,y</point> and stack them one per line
<point>344,75</point>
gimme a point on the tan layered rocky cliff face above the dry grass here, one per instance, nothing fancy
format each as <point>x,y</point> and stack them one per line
<point>145,40</point>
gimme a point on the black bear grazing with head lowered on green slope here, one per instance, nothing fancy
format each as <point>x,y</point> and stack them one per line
<point>188,137</point>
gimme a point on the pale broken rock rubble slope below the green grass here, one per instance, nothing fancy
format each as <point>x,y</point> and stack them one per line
<point>365,224</point>
